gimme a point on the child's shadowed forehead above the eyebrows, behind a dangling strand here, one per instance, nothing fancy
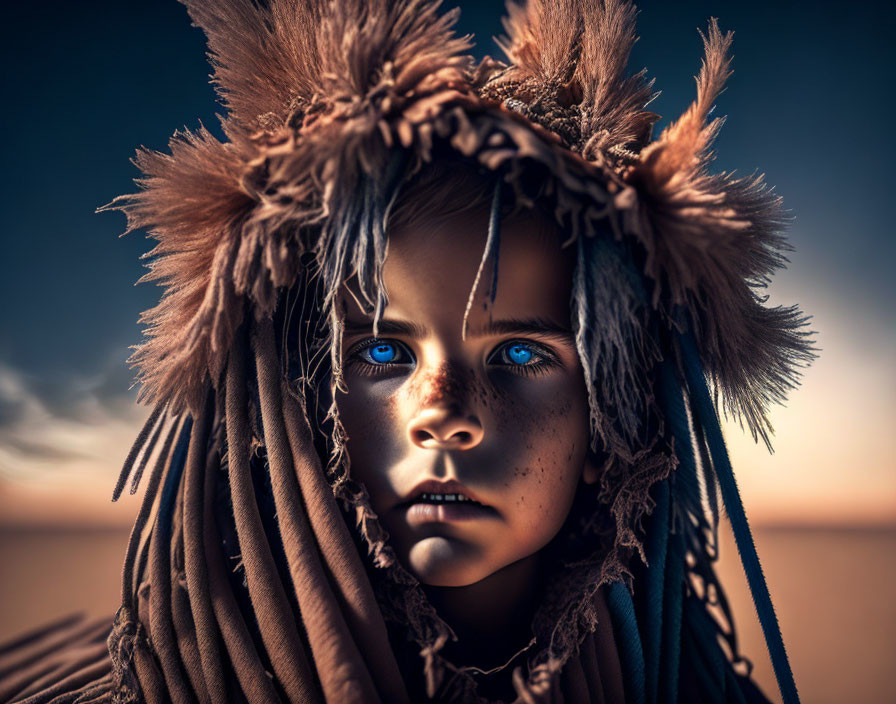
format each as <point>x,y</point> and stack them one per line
<point>431,267</point>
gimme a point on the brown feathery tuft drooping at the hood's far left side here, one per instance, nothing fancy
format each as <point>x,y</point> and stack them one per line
<point>192,203</point>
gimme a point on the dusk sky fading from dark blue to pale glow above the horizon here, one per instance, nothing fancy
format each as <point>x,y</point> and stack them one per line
<point>84,84</point>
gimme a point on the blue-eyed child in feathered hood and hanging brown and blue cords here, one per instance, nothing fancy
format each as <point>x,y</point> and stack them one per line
<point>431,416</point>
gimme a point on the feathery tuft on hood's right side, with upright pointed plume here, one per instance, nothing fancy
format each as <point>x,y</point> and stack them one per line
<point>713,240</point>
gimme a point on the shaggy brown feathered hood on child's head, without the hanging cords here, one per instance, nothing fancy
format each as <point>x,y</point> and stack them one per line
<point>318,93</point>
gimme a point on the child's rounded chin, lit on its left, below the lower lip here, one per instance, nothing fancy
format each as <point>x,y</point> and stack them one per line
<point>445,562</point>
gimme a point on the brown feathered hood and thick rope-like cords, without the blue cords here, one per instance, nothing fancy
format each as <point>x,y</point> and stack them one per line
<point>257,570</point>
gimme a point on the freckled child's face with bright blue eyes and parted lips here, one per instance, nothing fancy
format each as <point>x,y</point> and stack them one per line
<point>503,412</point>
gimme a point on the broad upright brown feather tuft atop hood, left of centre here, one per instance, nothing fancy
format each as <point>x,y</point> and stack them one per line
<point>276,58</point>
